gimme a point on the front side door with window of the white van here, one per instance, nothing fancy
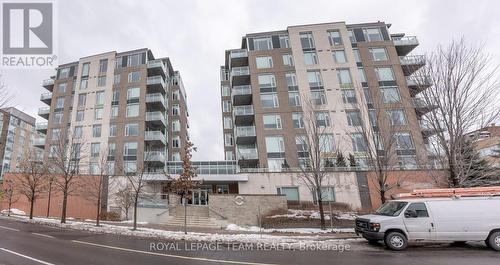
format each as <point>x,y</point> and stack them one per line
<point>418,222</point>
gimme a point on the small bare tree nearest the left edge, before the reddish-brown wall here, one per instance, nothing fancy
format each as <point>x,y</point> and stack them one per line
<point>31,180</point>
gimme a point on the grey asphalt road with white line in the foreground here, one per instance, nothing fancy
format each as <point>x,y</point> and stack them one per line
<point>24,243</point>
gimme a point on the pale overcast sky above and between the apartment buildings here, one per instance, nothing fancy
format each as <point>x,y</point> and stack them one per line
<point>195,34</point>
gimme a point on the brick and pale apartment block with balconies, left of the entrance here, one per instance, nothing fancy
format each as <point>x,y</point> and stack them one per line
<point>128,106</point>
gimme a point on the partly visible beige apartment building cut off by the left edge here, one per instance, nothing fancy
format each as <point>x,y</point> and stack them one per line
<point>17,136</point>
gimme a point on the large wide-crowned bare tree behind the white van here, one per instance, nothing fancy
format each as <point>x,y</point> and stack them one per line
<point>463,88</point>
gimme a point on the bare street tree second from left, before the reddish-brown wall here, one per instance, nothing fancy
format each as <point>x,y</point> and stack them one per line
<point>66,159</point>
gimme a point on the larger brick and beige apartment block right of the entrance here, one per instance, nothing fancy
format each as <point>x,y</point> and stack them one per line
<point>344,76</point>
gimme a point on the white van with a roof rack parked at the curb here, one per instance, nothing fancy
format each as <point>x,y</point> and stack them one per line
<point>457,219</point>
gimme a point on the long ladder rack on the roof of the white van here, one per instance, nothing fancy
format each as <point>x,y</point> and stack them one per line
<point>451,192</point>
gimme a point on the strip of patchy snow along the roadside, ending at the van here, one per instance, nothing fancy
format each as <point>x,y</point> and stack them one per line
<point>295,241</point>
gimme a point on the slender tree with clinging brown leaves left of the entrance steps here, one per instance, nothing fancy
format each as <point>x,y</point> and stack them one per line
<point>184,184</point>
